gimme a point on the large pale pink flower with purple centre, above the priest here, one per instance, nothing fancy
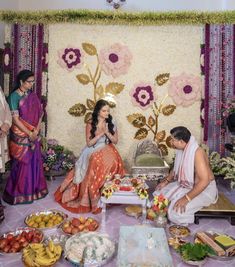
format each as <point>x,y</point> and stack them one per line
<point>185,89</point>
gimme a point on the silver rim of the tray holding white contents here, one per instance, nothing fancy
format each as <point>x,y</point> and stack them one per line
<point>90,263</point>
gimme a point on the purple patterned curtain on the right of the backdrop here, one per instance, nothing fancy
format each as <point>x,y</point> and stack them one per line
<point>219,72</point>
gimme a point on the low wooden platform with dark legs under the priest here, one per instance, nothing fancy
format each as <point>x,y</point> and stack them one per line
<point>223,208</point>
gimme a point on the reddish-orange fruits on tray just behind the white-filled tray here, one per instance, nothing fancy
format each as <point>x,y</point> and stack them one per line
<point>80,224</point>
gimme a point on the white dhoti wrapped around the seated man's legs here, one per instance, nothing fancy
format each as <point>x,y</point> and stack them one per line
<point>174,192</point>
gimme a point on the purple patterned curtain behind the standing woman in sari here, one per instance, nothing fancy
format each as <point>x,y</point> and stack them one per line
<point>26,47</point>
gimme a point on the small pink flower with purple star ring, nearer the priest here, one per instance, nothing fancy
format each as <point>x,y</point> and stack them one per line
<point>142,95</point>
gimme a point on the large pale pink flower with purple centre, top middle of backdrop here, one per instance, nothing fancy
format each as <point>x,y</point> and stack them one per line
<point>115,60</point>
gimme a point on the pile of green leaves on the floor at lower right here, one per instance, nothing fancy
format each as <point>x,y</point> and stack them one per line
<point>195,252</point>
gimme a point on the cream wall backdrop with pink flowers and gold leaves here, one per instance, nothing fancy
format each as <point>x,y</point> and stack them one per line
<point>147,52</point>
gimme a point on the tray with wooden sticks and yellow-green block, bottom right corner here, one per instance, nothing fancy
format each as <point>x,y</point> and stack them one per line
<point>222,244</point>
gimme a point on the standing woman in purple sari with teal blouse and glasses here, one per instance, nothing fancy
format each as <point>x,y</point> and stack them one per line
<point>26,182</point>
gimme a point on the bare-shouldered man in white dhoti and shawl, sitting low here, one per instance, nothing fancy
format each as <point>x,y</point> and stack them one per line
<point>190,185</point>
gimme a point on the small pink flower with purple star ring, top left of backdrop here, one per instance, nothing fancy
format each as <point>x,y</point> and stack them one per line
<point>70,58</point>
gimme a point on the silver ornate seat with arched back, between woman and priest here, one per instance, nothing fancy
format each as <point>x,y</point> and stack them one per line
<point>148,161</point>
